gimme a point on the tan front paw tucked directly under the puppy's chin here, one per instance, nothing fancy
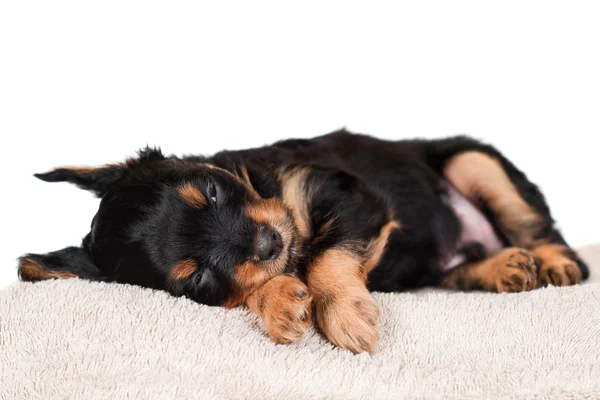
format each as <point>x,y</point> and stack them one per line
<point>284,305</point>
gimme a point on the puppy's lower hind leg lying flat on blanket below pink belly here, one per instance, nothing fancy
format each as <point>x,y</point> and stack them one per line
<point>509,270</point>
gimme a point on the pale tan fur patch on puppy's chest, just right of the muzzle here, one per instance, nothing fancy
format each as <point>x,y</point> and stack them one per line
<point>296,195</point>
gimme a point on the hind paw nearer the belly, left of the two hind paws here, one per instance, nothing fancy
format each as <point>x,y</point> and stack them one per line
<point>516,272</point>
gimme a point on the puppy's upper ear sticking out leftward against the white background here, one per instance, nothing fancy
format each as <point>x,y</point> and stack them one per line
<point>100,179</point>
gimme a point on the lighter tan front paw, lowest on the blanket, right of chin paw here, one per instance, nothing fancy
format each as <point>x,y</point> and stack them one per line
<point>349,319</point>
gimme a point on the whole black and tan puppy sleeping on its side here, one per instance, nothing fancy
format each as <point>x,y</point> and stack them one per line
<point>316,222</point>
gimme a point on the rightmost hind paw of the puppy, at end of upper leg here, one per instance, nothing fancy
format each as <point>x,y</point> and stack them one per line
<point>555,266</point>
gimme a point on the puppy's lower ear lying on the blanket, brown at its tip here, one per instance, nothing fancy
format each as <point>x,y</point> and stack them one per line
<point>69,262</point>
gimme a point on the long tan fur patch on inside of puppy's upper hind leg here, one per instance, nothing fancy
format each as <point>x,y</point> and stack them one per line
<point>481,177</point>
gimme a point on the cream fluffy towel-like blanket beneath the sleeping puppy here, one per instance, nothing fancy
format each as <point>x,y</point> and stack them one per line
<point>75,339</point>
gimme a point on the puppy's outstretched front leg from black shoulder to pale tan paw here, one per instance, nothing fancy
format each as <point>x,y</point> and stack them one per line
<point>342,246</point>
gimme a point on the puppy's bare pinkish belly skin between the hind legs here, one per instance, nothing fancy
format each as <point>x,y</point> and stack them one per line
<point>475,228</point>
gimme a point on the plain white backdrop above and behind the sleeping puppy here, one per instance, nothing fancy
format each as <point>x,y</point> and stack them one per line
<point>90,82</point>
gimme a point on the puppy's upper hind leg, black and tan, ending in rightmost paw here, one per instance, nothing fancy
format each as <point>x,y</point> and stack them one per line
<point>517,207</point>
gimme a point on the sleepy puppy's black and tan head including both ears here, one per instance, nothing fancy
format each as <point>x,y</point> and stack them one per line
<point>187,227</point>
